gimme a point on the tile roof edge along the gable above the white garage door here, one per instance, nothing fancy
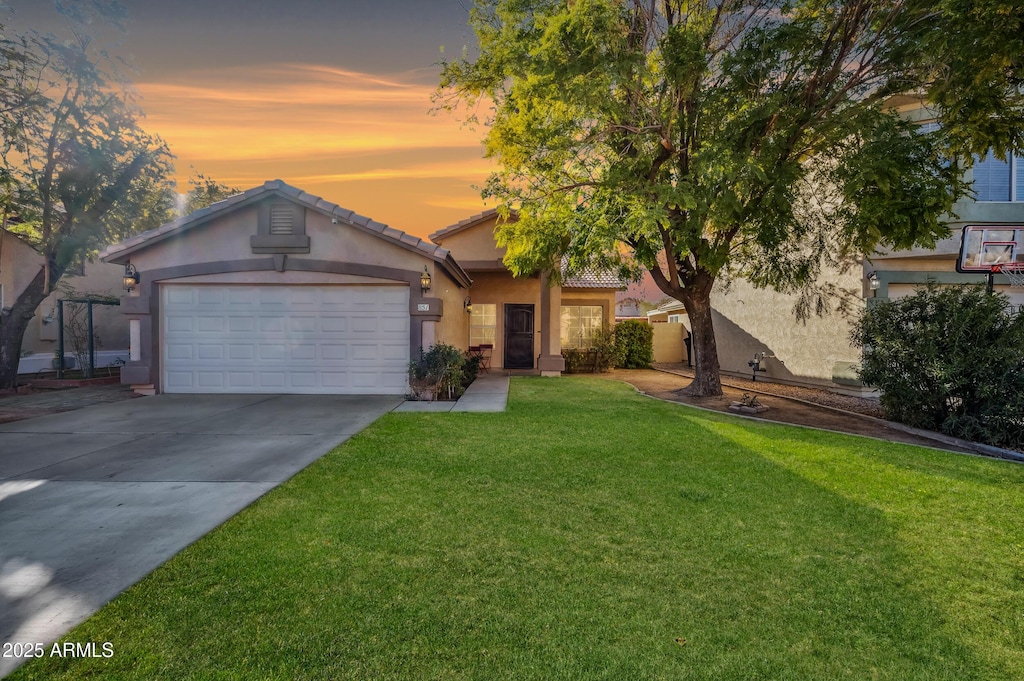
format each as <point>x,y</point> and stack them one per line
<point>276,187</point>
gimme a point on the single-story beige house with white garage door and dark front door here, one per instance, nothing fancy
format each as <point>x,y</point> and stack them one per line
<point>278,291</point>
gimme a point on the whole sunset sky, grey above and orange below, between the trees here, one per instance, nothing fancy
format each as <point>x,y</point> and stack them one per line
<point>331,97</point>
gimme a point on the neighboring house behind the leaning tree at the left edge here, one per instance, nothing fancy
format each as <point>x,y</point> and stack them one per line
<point>19,266</point>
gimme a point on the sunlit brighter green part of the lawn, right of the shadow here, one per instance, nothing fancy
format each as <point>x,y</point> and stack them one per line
<point>947,542</point>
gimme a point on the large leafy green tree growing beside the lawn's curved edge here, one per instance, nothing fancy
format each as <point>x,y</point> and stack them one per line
<point>709,140</point>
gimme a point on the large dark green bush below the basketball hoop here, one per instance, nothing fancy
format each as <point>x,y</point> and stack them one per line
<point>950,360</point>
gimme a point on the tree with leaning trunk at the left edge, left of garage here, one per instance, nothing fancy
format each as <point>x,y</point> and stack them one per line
<point>79,172</point>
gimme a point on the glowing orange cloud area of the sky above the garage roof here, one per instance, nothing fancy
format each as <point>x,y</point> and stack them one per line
<point>327,131</point>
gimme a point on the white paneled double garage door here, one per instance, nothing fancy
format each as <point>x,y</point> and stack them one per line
<point>290,339</point>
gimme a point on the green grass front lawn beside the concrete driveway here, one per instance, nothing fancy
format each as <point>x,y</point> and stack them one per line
<point>590,533</point>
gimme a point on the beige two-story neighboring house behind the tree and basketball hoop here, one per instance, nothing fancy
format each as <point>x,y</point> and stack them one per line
<point>818,353</point>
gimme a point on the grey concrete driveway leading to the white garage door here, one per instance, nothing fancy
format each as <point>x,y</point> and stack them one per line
<point>94,500</point>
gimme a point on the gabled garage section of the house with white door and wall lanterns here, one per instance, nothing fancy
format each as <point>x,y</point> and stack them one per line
<point>277,291</point>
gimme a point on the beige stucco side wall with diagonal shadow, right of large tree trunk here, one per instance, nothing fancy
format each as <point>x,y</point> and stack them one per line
<point>749,321</point>
